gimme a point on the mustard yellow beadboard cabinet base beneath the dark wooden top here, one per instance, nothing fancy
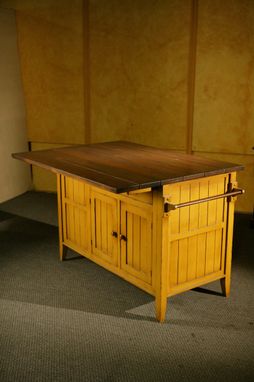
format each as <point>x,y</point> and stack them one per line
<point>163,253</point>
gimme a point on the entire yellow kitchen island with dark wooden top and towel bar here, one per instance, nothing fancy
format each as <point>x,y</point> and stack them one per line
<point>159,219</point>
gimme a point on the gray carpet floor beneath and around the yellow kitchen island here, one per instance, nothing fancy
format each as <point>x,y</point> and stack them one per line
<point>74,321</point>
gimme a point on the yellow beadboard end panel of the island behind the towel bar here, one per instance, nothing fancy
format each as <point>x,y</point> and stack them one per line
<point>197,232</point>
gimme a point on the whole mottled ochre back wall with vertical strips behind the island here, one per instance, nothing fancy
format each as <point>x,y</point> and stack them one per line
<point>146,71</point>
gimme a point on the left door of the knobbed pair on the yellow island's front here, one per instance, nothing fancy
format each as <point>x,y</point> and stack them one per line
<point>104,227</point>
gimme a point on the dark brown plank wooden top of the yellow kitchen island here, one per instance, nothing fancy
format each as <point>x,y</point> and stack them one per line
<point>124,166</point>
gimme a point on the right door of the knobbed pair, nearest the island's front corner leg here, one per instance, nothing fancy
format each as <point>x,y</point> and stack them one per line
<point>136,241</point>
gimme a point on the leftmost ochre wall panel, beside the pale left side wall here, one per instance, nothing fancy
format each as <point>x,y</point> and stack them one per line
<point>51,51</point>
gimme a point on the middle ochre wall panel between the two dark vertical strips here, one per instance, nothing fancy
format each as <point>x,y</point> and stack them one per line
<point>139,67</point>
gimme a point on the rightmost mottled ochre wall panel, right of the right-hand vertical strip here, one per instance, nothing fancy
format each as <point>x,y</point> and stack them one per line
<point>224,97</point>
